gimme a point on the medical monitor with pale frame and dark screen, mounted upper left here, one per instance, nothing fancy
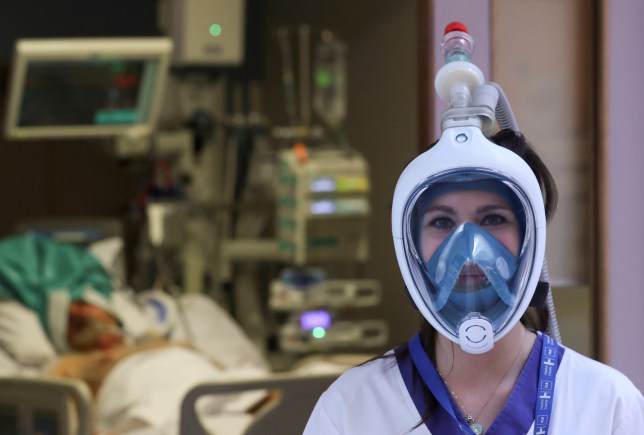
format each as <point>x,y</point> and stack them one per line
<point>81,88</point>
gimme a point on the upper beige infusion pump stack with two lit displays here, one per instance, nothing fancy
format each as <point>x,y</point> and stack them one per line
<point>323,205</point>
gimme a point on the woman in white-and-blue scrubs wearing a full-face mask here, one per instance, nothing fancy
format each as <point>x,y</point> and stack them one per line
<point>469,230</point>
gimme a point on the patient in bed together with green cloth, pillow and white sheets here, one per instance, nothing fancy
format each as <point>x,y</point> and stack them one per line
<point>138,368</point>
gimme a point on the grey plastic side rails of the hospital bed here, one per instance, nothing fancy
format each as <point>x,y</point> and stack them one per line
<point>30,406</point>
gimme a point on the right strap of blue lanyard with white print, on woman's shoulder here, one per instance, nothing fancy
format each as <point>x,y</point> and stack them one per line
<point>547,373</point>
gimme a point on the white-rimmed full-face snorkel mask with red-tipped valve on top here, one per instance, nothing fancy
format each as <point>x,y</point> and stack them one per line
<point>472,288</point>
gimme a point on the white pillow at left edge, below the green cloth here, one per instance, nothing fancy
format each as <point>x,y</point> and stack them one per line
<point>22,336</point>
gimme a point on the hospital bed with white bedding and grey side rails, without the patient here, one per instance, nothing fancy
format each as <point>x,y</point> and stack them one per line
<point>161,391</point>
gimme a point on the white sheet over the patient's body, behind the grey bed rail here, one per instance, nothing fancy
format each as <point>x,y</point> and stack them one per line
<point>143,393</point>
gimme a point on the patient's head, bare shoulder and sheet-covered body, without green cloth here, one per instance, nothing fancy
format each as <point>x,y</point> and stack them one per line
<point>139,385</point>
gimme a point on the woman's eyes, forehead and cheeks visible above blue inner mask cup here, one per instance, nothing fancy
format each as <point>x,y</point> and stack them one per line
<point>486,209</point>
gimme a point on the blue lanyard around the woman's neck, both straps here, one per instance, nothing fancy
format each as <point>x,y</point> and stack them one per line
<point>550,356</point>
